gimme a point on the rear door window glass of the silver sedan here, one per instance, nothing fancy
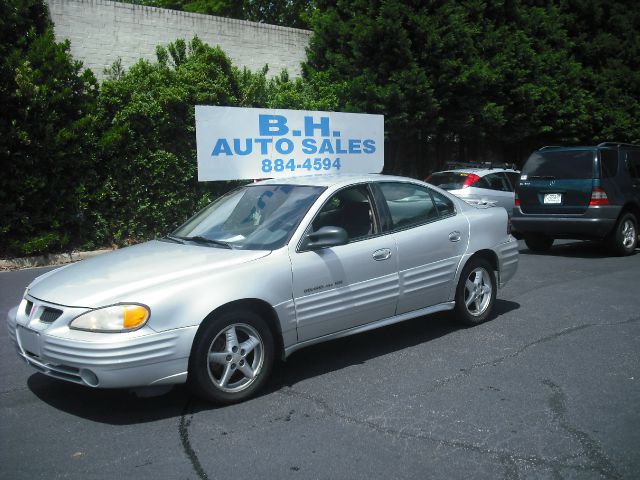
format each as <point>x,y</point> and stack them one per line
<point>409,205</point>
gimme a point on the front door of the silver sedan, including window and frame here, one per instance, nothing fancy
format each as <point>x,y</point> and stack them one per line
<point>345,286</point>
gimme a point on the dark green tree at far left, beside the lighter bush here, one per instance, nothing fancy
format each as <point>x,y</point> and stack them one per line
<point>44,136</point>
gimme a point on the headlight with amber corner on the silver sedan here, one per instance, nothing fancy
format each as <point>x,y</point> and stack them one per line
<point>116,318</point>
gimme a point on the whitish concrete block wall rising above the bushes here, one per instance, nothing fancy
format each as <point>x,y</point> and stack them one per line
<point>101,31</point>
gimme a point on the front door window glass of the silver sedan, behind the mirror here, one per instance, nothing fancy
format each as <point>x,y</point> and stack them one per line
<point>351,209</point>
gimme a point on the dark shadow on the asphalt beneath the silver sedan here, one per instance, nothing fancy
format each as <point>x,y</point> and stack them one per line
<point>123,407</point>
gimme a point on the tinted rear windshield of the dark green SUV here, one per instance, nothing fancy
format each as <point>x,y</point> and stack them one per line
<point>574,164</point>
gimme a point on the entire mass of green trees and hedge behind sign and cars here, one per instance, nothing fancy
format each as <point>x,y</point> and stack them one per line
<point>88,165</point>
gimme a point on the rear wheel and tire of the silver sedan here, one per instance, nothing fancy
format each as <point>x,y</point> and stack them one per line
<point>475,300</point>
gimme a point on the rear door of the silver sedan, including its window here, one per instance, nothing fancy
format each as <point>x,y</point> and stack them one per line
<point>431,238</point>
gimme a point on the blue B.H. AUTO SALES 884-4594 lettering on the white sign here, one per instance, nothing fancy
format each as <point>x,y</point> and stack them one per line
<point>273,130</point>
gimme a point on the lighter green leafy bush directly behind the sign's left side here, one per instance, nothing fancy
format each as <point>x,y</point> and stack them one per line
<point>146,126</point>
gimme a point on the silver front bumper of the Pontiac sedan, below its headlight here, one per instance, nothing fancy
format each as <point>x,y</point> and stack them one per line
<point>106,360</point>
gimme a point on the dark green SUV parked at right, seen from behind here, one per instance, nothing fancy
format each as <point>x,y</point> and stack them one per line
<point>580,192</point>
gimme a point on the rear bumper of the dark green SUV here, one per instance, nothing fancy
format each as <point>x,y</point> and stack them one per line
<point>596,222</point>
